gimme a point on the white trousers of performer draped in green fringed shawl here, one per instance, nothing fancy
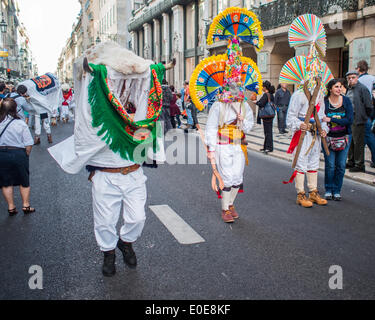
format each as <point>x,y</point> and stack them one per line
<point>112,192</point>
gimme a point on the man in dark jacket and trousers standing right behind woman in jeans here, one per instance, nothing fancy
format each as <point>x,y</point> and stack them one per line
<point>362,106</point>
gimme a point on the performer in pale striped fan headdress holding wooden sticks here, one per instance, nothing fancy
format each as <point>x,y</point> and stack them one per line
<point>306,107</point>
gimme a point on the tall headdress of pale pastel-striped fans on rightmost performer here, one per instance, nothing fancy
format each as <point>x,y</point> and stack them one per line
<point>307,30</point>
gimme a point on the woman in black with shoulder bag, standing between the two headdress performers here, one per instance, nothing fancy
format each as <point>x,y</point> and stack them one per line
<point>267,113</point>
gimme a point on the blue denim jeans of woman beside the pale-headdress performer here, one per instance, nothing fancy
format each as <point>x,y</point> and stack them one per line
<point>335,168</point>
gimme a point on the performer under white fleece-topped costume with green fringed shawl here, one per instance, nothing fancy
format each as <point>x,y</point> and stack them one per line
<point>112,142</point>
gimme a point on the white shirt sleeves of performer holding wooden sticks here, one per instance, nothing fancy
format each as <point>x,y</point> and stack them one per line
<point>297,110</point>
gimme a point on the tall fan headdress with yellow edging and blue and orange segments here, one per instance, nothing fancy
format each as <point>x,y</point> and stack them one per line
<point>215,75</point>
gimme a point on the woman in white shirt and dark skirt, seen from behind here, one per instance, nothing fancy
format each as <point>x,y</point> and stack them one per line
<point>15,147</point>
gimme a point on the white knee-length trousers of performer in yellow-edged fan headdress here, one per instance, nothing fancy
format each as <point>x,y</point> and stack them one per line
<point>230,162</point>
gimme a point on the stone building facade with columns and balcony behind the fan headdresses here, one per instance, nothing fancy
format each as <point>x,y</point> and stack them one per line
<point>162,30</point>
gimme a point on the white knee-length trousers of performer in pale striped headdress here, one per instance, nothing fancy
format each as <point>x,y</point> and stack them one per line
<point>310,161</point>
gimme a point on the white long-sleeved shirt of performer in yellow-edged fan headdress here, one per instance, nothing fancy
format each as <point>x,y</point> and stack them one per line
<point>219,110</point>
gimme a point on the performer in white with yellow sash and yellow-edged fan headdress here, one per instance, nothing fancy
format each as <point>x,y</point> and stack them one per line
<point>224,79</point>
